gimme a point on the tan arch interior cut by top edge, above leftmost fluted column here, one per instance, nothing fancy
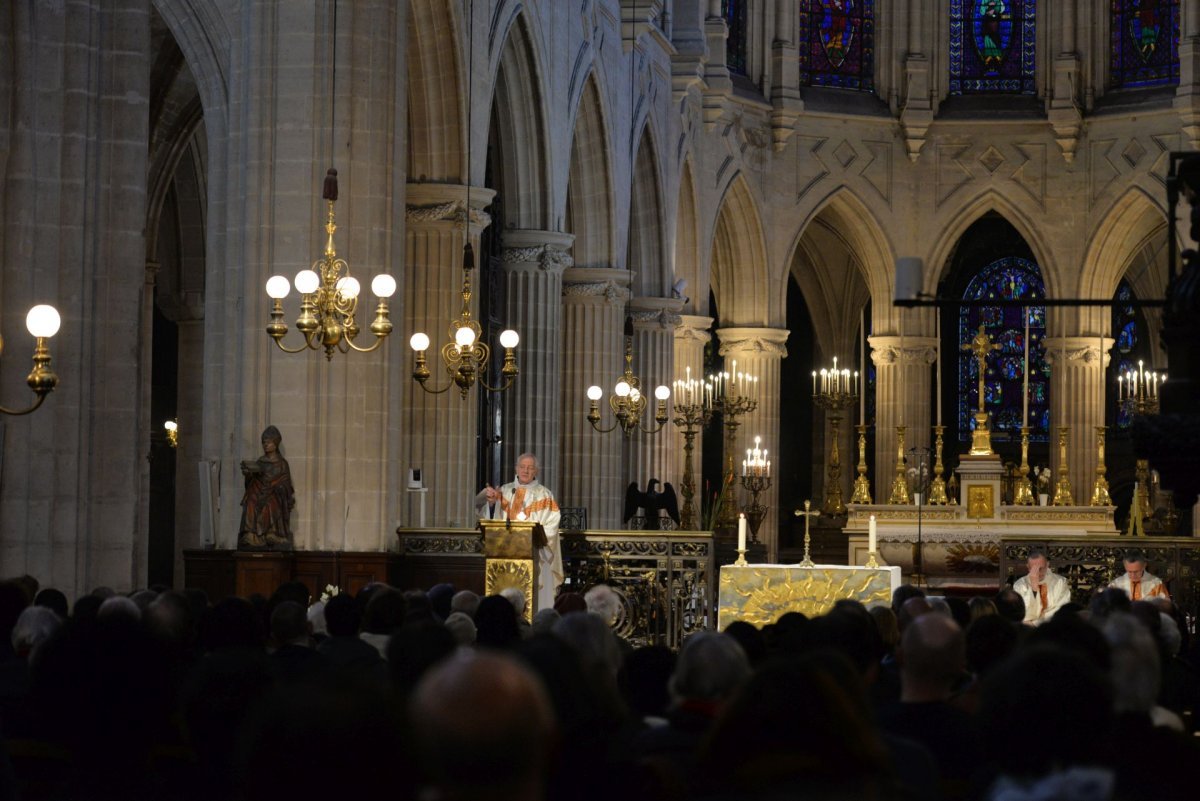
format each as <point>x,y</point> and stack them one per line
<point>436,98</point>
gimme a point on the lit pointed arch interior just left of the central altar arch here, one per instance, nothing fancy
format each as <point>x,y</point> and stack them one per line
<point>851,262</point>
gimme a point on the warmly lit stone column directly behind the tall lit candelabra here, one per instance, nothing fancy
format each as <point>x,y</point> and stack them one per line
<point>759,352</point>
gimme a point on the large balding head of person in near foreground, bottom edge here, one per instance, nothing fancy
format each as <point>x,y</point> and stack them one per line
<point>484,724</point>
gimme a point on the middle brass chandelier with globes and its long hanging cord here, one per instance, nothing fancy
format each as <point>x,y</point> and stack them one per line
<point>466,357</point>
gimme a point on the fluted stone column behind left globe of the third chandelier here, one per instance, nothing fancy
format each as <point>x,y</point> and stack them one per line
<point>593,318</point>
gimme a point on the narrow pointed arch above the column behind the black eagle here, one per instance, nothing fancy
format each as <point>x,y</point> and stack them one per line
<point>647,243</point>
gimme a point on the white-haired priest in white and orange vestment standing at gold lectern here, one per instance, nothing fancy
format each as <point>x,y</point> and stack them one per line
<point>527,499</point>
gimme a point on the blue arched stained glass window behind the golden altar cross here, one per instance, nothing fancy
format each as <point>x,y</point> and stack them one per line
<point>1009,279</point>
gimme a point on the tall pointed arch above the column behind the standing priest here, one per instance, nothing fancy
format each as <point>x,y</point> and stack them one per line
<point>518,117</point>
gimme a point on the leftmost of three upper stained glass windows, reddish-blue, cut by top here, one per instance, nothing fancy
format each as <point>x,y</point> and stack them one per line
<point>837,43</point>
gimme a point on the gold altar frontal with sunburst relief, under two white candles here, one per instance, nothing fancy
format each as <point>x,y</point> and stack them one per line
<point>763,594</point>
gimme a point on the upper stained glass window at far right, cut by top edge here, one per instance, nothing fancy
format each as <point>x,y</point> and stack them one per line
<point>1144,43</point>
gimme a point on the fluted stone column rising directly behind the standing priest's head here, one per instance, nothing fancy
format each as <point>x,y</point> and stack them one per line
<point>533,264</point>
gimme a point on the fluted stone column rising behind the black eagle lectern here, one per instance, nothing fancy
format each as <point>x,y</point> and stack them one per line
<point>655,324</point>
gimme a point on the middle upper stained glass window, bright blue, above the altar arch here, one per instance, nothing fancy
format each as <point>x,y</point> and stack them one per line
<point>993,47</point>
